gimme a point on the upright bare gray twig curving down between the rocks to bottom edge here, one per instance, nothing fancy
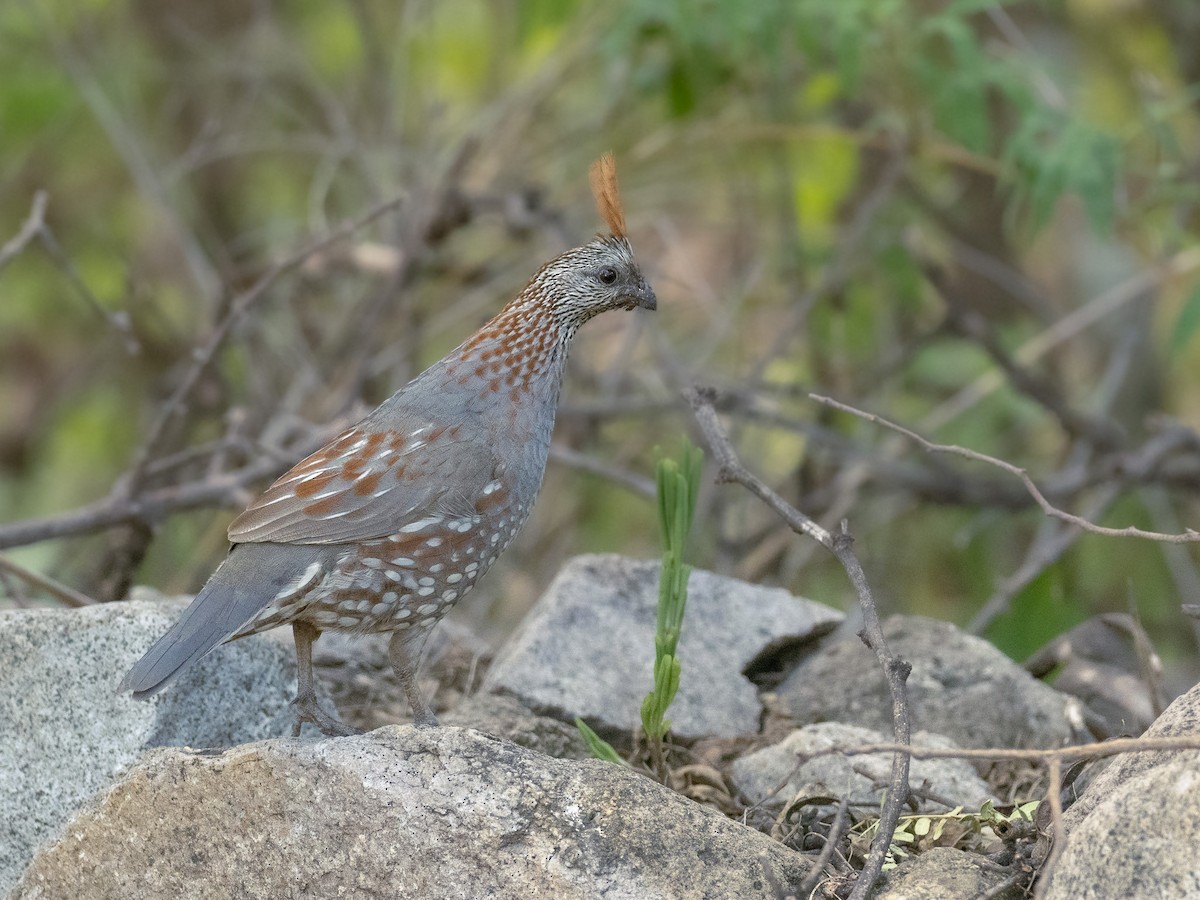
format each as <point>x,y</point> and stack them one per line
<point>841,544</point>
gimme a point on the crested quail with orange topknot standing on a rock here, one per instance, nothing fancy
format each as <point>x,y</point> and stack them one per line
<point>393,523</point>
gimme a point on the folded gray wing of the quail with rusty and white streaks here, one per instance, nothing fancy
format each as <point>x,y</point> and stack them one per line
<point>369,483</point>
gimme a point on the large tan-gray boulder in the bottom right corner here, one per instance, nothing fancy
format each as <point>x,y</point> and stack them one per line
<point>1139,842</point>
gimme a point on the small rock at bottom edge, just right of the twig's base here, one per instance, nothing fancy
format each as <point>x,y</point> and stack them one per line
<point>945,873</point>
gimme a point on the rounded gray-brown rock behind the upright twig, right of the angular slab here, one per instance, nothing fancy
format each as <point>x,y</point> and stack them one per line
<point>961,687</point>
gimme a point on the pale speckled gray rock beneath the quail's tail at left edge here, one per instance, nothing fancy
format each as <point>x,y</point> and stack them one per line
<point>67,733</point>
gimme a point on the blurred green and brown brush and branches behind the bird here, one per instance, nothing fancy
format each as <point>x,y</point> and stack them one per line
<point>974,218</point>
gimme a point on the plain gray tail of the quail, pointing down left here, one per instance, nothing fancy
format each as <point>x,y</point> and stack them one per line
<point>250,579</point>
